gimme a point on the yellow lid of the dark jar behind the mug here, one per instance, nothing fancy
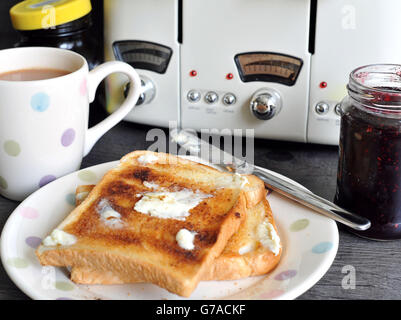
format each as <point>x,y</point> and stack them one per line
<point>45,14</point>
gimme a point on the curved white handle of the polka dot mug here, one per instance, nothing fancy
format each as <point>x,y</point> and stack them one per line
<point>94,78</point>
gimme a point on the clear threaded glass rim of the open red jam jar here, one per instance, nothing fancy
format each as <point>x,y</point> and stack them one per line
<point>377,88</point>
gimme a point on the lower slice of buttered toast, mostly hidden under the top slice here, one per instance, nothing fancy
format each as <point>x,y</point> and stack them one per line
<point>253,250</point>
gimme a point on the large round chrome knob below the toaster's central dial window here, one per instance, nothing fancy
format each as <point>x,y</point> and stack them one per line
<point>265,104</point>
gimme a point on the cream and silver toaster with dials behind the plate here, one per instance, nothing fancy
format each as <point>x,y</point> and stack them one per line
<point>279,67</point>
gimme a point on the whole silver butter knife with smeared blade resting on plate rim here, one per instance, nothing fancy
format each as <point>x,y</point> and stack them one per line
<point>198,147</point>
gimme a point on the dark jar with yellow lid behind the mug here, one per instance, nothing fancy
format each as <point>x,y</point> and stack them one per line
<point>65,24</point>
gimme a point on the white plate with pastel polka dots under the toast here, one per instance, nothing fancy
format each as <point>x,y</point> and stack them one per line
<point>309,240</point>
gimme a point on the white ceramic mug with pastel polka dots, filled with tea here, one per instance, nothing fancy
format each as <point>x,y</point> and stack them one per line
<point>44,123</point>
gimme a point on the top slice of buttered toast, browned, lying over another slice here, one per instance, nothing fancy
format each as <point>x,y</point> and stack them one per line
<point>157,215</point>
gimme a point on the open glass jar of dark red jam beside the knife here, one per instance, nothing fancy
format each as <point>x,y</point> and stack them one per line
<point>369,171</point>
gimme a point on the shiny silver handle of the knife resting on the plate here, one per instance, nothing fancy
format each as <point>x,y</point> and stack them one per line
<point>311,200</point>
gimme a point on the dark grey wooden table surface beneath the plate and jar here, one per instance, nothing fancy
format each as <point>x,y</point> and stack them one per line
<point>376,263</point>
